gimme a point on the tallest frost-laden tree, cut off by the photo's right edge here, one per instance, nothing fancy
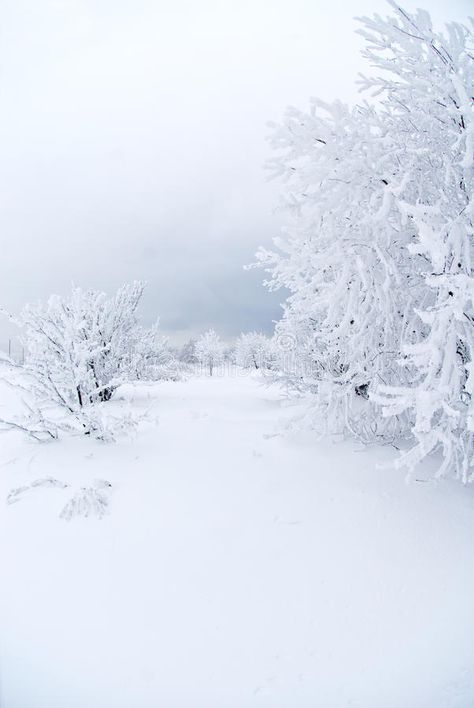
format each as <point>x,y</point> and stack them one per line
<point>428,89</point>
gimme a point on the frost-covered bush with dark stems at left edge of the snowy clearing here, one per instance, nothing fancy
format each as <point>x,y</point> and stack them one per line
<point>78,351</point>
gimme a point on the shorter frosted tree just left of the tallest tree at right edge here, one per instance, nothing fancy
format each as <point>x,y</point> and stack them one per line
<point>344,261</point>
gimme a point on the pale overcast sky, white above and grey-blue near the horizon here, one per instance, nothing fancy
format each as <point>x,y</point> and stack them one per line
<point>132,143</point>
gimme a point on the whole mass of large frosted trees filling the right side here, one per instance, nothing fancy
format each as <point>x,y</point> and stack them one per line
<point>377,254</point>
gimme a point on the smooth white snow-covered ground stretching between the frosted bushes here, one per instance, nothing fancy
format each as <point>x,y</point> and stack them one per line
<point>237,567</point>
